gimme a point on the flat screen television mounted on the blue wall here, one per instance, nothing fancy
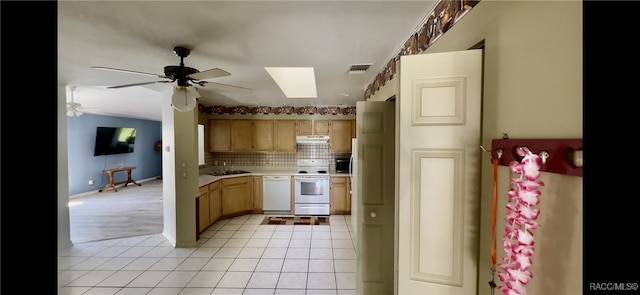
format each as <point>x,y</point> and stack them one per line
<point>114,140</point>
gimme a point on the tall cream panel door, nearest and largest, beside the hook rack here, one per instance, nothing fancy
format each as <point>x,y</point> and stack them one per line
<point>439,172</point>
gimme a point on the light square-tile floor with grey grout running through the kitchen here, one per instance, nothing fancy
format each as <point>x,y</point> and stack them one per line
<point>233,256</point>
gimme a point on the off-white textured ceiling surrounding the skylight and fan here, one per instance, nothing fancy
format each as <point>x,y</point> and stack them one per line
<point>241,37</point>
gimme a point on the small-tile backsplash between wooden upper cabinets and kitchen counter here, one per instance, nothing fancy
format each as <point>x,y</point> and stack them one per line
<point>318,151</point>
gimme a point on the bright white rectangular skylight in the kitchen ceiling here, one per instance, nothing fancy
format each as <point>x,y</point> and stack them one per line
<point>294,82</point>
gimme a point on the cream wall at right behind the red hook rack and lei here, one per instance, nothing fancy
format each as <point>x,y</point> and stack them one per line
<point>532,89</point>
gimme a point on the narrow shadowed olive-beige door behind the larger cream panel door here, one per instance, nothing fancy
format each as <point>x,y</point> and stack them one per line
<point>375,189</point>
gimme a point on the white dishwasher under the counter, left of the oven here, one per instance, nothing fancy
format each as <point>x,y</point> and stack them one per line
<point>276,194</point>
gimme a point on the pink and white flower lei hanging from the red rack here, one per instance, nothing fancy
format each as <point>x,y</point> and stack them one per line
<point>521,221</point>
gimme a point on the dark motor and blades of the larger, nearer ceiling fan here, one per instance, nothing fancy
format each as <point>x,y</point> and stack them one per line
<point>183,75</point>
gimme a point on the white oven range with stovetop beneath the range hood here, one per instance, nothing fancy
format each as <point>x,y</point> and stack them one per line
<point>312,187</point>
